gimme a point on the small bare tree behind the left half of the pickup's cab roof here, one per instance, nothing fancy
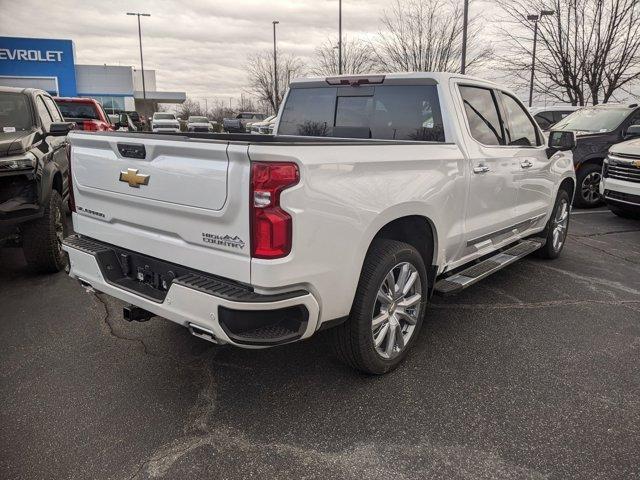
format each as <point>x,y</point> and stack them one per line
<point>357,57</point>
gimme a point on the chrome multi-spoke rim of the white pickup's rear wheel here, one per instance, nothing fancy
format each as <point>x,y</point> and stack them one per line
<point>396,310</point>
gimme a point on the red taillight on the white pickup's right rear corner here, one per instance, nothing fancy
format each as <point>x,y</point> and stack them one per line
<point>271,226</point>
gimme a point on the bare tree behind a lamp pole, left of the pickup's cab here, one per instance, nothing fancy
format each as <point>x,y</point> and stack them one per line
<point>260,71</point>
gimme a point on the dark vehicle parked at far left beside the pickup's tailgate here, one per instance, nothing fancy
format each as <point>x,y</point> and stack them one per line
<point>33,176</point>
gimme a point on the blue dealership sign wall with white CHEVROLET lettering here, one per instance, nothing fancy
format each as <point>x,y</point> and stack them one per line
<point>39,61</point>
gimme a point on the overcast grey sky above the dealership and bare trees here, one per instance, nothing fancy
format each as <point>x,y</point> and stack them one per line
<point>197,46</point>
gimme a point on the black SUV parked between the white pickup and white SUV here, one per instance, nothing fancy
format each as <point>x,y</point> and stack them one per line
<point>597,128</point>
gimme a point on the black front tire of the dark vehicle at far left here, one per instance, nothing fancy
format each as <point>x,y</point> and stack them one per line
<point>42,238</point>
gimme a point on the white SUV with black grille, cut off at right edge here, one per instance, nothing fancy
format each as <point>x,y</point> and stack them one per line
<point>620,184</point>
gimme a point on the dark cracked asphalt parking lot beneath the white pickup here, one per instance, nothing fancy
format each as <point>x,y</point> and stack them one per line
<point>534,373</point>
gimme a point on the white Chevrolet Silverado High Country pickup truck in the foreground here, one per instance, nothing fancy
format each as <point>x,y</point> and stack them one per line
<point>375,192</point>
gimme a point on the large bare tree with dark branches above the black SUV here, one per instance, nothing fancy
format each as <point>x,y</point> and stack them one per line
<point>587,51</point>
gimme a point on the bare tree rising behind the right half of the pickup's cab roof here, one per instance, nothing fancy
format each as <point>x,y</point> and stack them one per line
<point>426,35</point>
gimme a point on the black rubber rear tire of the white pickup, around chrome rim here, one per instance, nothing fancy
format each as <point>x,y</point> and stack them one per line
<point>354,339</point>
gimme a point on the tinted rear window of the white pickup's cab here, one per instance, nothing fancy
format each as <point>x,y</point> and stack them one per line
<point>383,112</point>
